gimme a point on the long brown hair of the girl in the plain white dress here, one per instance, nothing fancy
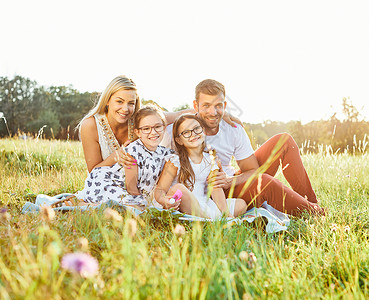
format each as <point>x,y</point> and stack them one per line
<point>186,174</point>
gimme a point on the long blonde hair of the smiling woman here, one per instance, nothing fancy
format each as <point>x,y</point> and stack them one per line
<point>121,82</point>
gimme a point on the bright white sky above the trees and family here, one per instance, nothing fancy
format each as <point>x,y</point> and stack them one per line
<point>279,60</point>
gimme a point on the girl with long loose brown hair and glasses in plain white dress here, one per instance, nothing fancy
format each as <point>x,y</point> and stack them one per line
<point>196,166</point>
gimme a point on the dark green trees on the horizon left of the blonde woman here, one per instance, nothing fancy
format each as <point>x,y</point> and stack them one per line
<point>29,107</point>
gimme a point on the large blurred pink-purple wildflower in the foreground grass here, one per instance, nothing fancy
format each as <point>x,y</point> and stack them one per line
<point>81,263</point>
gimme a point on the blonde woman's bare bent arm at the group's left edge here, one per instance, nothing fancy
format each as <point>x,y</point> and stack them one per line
<point>91,146</point>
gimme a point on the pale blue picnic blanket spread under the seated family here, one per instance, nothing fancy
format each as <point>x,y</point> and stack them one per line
<point>277,221</point>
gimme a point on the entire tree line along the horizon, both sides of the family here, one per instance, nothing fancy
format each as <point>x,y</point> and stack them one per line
<point>54,112</point>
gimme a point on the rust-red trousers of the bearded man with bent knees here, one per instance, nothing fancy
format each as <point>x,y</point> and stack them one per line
<point>267,188</point>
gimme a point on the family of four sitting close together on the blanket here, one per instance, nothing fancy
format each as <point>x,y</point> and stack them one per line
<point>141,156</point>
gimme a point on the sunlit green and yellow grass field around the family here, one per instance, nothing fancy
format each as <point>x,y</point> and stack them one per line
<point>317,257</point>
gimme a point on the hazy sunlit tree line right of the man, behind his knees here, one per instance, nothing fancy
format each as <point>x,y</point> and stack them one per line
<point>349,134</point>
